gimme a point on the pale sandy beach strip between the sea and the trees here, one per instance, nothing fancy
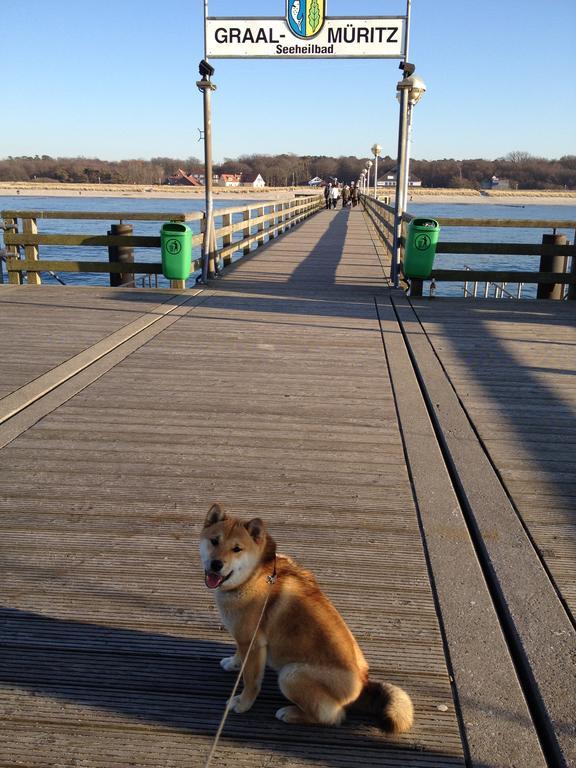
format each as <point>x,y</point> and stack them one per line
<point>492,197</point>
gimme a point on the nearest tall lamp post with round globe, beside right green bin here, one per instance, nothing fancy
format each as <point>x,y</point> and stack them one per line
<point>410,90</point>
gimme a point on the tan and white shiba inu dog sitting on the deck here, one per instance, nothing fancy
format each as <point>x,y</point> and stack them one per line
<point>320,666</point>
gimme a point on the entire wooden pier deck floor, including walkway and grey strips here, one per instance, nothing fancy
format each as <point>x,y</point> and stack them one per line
<point>418,455</point>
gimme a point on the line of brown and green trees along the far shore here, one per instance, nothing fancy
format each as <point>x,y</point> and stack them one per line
<point>523,170</point>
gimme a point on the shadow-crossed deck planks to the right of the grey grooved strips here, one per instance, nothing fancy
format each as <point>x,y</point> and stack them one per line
<point>519,388</point>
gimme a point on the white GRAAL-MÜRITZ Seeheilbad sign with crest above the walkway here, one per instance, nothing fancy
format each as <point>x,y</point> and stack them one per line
<point>306,33</point>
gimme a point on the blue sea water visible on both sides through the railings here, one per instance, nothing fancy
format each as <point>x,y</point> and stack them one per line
<point>181,205</point>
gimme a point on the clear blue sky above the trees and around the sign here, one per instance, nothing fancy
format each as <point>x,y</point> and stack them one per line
<point>117,80</point>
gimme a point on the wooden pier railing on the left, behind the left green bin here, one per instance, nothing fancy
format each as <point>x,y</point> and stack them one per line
<point>237,230</point>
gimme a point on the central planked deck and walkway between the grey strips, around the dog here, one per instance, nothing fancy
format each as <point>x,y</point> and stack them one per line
<point>272,396</point>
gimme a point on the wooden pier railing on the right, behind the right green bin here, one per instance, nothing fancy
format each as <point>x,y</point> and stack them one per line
<point>556,269</point>
